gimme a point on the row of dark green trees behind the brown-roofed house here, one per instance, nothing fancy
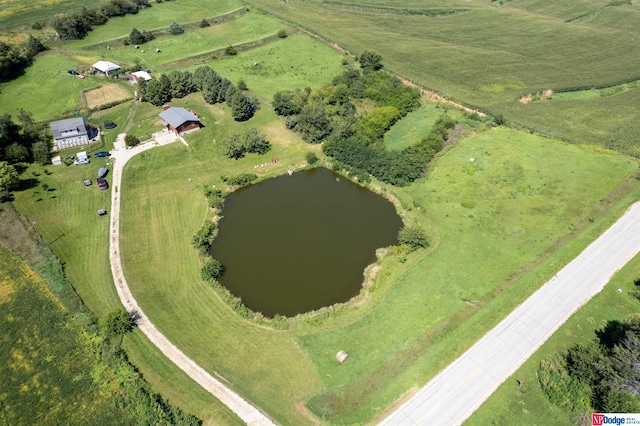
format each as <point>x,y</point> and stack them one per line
<point>213,87</point>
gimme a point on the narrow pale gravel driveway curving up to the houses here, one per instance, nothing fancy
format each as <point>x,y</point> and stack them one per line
<point>249,414</point>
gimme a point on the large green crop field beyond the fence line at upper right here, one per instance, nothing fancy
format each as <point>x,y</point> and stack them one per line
<point>501,54</point>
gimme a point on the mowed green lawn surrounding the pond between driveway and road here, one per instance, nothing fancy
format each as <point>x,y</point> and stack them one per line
<point>523,195</point>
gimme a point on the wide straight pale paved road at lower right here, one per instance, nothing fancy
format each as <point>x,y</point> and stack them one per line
<point>456,392</point>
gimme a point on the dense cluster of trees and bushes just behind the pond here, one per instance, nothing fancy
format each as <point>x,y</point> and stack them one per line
<point>355,141</point>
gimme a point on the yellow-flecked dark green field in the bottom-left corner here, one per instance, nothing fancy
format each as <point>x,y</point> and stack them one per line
<point>46,362</point>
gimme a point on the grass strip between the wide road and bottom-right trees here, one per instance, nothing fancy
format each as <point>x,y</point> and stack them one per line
<point>529,405</point>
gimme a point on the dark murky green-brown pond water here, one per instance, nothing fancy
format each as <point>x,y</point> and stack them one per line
<point>296,243</point>
